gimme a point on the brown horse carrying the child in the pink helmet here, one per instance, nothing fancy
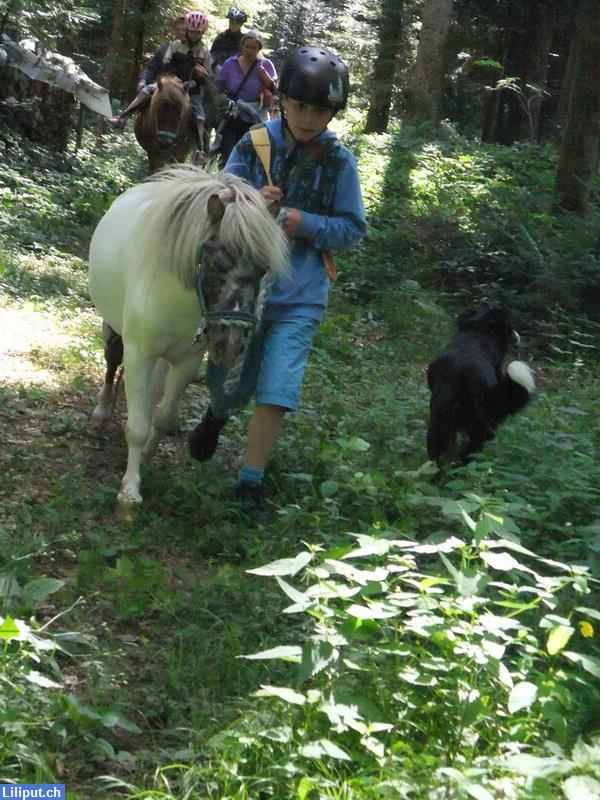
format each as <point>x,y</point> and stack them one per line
<point>165,128</point>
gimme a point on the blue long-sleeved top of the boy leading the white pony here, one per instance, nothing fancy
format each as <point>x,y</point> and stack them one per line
<point>321,180</point>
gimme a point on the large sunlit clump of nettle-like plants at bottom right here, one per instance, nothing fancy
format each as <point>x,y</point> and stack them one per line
<point>444,668</point>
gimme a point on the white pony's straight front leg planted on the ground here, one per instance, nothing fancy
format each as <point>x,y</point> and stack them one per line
<point>138,375</point>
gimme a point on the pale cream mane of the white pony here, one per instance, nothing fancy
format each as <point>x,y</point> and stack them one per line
<point>175,222</point>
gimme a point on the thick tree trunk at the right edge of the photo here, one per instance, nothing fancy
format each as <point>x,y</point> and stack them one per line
<point>578,155</point>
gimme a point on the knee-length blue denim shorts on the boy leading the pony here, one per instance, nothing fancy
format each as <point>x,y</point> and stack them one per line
<point>273,369</point>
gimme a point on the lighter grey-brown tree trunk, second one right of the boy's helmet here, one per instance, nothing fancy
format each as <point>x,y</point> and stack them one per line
<point>424,94</point>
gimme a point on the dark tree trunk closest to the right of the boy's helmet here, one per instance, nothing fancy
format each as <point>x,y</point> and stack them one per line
<point>382,80</point>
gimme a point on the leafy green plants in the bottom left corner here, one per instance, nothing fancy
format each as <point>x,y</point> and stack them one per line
<point>40,719</point>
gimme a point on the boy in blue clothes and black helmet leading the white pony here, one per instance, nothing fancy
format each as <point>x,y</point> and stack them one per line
<point>316,180</point>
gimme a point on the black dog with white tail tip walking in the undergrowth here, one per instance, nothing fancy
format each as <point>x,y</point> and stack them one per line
<point>471,392</point>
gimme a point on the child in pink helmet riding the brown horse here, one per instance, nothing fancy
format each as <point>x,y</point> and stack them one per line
<point>189,60</point>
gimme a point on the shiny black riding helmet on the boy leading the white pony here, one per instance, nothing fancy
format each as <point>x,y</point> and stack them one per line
<point>316,76</point>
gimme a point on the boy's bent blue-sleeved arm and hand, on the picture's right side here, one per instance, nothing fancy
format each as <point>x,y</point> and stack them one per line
<point>347,223</point>
